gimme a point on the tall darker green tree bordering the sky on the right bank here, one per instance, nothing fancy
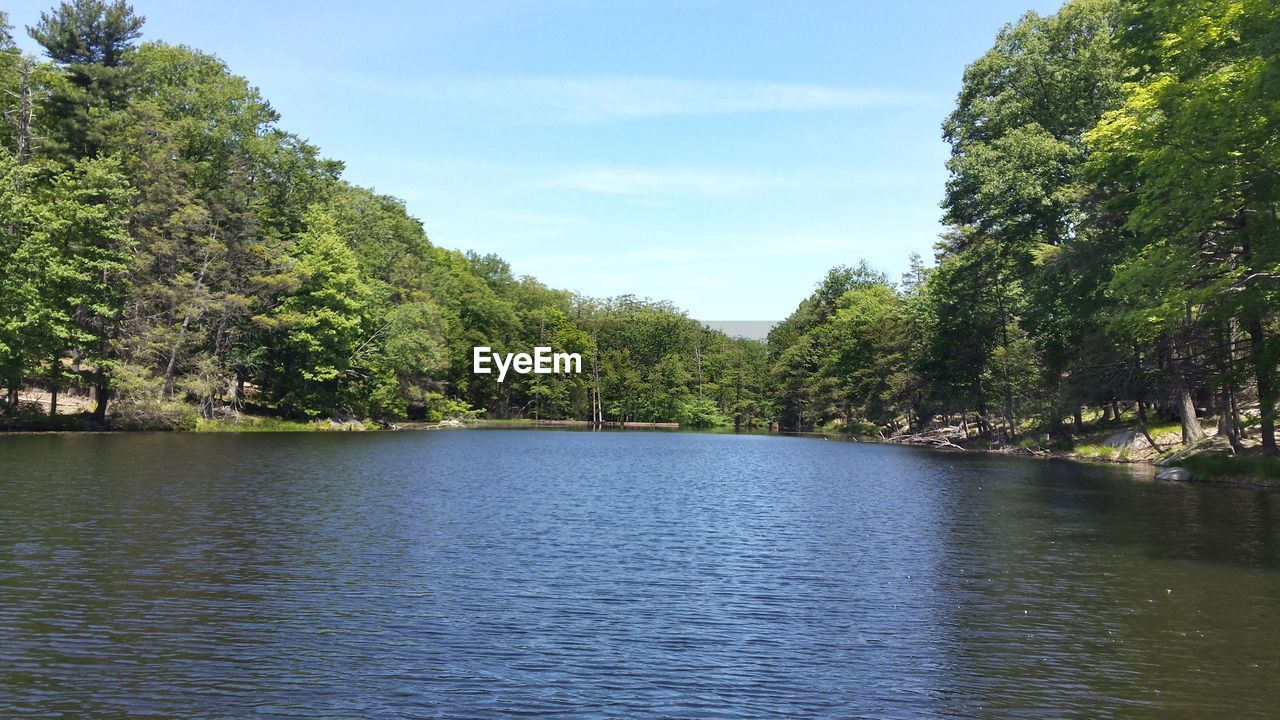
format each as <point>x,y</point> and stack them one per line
<point>1018,199</point>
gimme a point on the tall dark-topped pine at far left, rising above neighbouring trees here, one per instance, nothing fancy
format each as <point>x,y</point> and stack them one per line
<point>86,238</point>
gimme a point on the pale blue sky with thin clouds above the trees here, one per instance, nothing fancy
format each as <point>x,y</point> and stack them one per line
<point>720,156</point>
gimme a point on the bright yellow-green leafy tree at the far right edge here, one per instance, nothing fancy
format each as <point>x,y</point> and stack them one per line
<point>1197,139</point>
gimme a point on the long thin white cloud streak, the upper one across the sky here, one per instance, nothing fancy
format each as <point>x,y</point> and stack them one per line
<point>597,99</point>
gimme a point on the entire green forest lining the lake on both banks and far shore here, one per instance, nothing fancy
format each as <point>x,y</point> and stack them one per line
<point>168,252</point>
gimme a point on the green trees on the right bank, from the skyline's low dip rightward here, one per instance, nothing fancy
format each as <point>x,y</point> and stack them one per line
<point>1113,241</point>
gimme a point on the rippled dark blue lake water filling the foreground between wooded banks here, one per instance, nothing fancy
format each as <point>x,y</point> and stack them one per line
<point>474,575</point>
